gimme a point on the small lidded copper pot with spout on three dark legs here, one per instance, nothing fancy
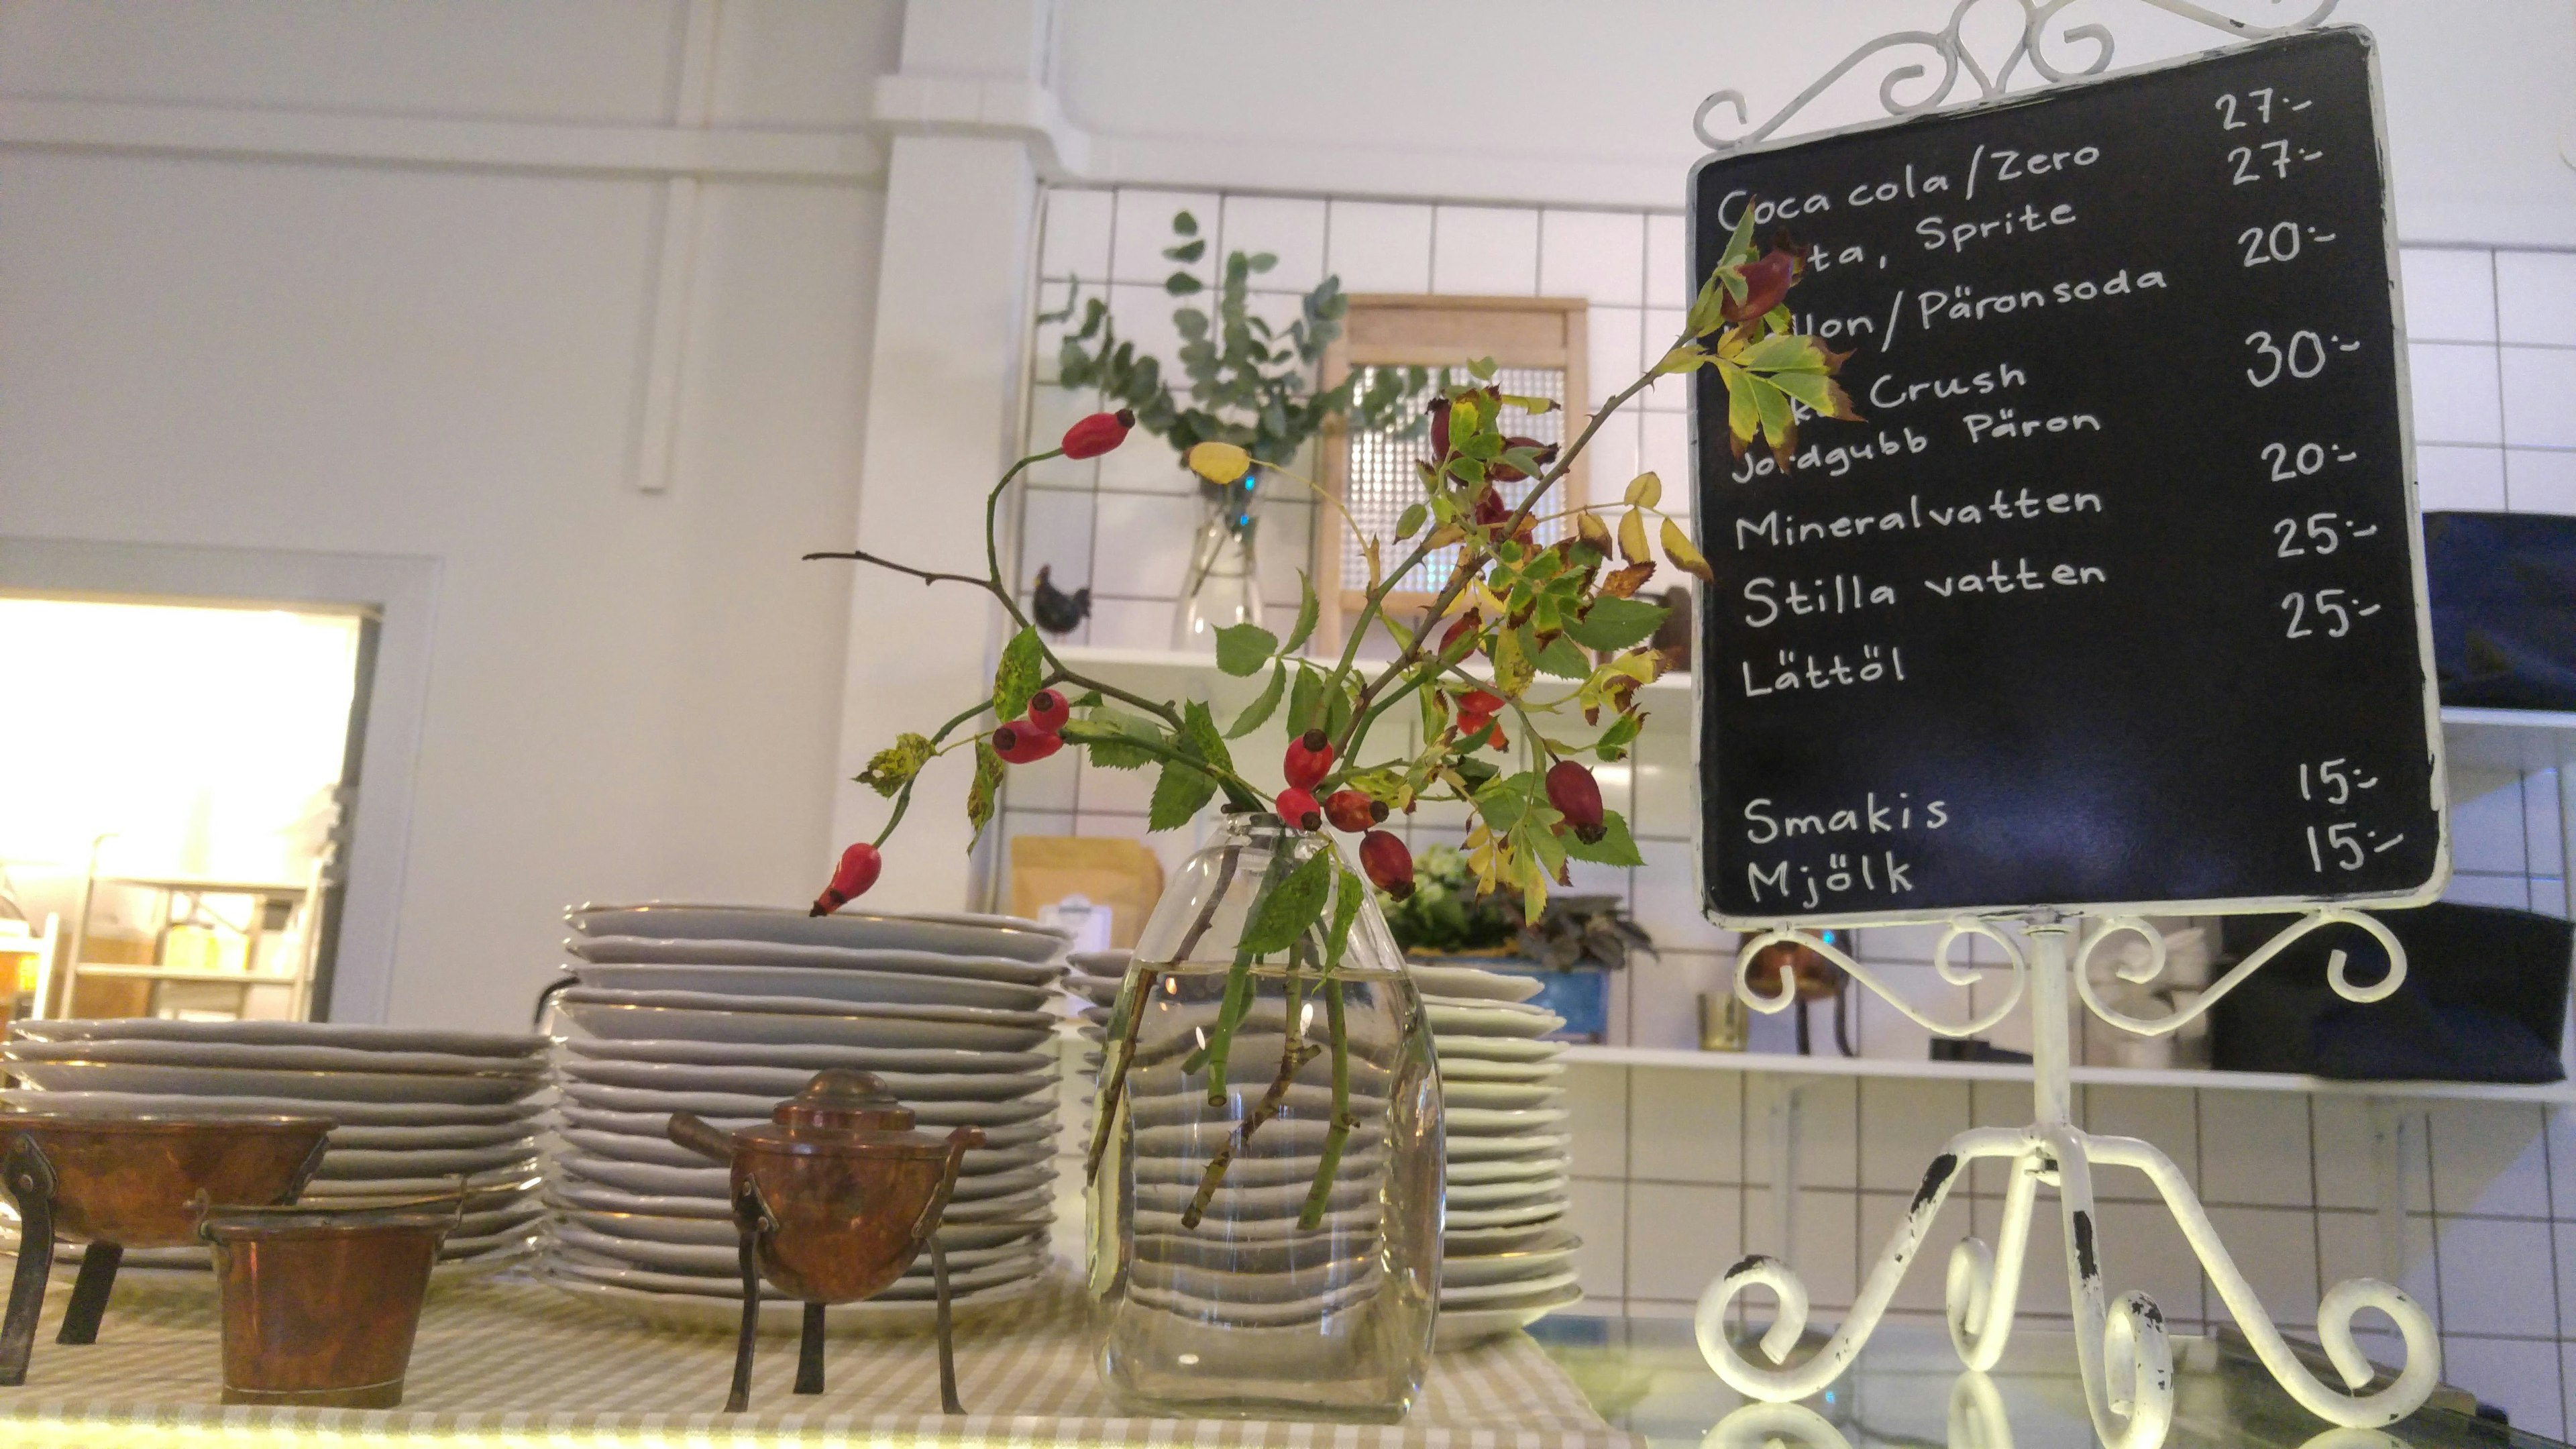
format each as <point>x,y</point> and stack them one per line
<point>833,1198</point>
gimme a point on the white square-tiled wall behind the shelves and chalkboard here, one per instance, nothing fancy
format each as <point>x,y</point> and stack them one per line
<point>1673,1164</point>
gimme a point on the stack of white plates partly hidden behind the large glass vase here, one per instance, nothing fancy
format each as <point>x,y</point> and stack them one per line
<point>1508,1257</point>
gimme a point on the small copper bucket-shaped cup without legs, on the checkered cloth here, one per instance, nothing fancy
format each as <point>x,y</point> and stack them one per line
<point>321,1306</point>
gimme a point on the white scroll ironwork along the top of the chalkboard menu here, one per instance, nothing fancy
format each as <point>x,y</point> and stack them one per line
<point>1949,50</point>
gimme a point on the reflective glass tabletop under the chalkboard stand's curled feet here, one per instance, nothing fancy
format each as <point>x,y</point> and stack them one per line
<point>1908,1394</point>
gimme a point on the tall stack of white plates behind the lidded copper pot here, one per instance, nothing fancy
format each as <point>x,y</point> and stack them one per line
<point>728,1012</point>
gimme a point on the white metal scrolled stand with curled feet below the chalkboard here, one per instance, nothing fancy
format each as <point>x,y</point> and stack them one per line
<point>2129,1376</point>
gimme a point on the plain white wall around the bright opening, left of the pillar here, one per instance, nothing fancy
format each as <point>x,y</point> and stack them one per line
<point>630,695</point>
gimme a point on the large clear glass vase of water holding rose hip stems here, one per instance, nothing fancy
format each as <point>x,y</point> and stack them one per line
<point>1274,1249</point>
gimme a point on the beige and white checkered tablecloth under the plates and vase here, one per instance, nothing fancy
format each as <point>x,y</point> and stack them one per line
<point>516,1363</point>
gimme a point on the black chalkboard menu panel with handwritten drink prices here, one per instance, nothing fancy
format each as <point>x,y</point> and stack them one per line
<point>2116,594</point>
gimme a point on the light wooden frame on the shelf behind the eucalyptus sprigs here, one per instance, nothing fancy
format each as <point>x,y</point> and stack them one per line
<point>1387,329</point>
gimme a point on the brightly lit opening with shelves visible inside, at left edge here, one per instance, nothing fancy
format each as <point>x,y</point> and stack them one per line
<point>176,801</point>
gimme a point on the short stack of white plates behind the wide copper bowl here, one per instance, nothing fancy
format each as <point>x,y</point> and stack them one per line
<point>416,1110</point>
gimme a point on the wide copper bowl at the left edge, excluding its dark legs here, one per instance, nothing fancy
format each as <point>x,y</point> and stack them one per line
<point>138,1180</point>
